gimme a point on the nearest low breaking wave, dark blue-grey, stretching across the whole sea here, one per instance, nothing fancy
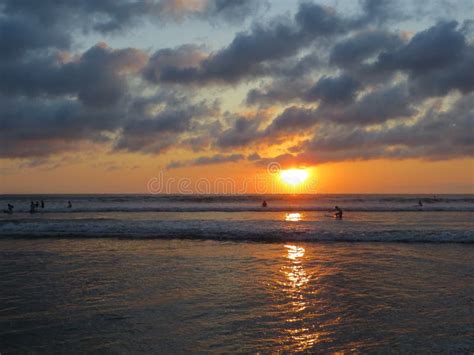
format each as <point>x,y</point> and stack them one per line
<point>261,231</point>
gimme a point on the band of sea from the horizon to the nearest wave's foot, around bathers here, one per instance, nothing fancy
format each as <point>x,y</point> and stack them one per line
<point>445,218</point>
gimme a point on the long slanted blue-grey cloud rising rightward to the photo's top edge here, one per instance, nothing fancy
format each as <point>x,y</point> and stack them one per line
<point>249,52</point>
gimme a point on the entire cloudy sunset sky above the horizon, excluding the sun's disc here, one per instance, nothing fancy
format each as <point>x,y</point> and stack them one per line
<point>157,96</point>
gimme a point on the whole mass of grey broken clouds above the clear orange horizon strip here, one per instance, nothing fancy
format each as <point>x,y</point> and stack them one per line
<point>357,82</point>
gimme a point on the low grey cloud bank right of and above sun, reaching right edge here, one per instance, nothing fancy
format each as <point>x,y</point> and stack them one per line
<point>437,135</point>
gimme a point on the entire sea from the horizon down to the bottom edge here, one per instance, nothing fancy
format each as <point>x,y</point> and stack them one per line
<point>187,273</point>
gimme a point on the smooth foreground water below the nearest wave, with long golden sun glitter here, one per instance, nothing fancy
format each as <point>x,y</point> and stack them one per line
<point>115,295</point>
